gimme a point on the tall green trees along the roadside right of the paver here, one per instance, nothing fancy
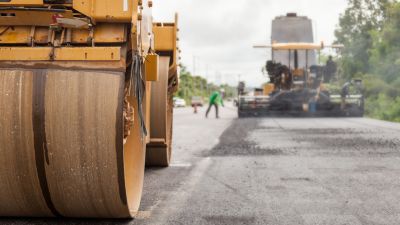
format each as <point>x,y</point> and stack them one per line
<point>370,31</point>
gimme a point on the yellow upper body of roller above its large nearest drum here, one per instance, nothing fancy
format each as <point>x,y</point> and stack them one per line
<point>83,22</point>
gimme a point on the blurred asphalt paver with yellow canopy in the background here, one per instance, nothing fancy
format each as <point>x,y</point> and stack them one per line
<point>297,83</point>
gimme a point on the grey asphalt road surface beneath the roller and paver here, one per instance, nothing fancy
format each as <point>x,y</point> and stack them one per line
<point>311,171</point>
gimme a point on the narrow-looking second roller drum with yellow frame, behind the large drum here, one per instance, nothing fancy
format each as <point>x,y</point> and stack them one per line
<point>159,149</point>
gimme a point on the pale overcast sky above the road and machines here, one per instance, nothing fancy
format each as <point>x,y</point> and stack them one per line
<point>219,34</point>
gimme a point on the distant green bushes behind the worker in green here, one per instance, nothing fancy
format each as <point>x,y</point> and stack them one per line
<point>190,86</point>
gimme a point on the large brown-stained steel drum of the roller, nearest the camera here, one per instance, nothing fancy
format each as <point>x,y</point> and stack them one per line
<point>62,148</point>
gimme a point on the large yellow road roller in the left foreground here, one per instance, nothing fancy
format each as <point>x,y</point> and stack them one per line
<point>77,106</point>
